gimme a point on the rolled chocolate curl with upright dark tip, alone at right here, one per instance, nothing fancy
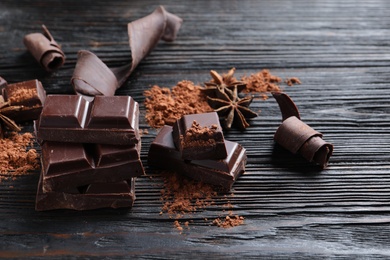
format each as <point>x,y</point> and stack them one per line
<point>298,137</point>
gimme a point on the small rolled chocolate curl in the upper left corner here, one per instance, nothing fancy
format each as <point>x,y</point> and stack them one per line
<point>45,49</point>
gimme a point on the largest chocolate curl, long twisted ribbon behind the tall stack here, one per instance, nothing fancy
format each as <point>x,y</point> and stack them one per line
<point>92,77</point>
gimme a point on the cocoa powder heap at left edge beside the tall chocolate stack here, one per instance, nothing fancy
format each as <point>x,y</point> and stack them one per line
<point>16,155</point>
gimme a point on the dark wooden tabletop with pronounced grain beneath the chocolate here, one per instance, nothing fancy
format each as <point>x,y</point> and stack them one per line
<point>341,52</point>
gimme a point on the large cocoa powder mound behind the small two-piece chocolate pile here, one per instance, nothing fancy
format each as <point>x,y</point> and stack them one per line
<point>165,106</point>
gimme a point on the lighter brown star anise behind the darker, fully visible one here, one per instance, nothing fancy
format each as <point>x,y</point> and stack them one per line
<point>227,81</point>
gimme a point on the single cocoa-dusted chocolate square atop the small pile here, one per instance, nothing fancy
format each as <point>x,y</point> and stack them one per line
<point>199,136</point>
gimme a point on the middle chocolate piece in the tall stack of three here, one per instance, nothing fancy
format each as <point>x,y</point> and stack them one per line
<point>69,165</point>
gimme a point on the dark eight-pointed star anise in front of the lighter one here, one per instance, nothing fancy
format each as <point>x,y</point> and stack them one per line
<point>231,108</point>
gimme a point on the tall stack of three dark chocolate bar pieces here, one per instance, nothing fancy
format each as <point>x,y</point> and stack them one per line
<point>90,152</point>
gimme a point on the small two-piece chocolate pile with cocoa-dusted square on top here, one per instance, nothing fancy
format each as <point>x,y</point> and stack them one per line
<point>195,146</point>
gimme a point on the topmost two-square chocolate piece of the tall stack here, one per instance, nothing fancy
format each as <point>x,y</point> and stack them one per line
<point>105,120</point>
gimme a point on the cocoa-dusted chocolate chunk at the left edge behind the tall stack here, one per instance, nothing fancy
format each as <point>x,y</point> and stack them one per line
<point>29,96</point>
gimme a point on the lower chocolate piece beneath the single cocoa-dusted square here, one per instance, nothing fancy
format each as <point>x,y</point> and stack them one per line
<point>221,173</point>
